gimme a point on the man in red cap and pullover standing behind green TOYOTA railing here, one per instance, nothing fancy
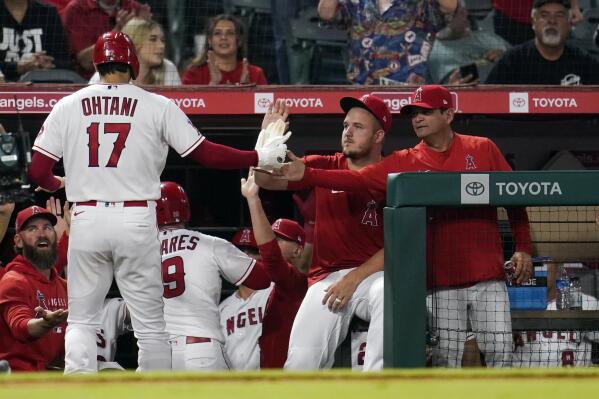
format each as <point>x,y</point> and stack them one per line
<point>464,251</point>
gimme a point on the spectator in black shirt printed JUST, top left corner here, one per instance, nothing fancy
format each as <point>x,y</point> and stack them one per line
<point>32,38</point>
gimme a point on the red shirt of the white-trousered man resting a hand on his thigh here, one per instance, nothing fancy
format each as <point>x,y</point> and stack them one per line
<point>354,216</point>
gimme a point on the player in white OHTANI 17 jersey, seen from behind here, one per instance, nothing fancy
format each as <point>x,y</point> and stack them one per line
<point>113,138</point>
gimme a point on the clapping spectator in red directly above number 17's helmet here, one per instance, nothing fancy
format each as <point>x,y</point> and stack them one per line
<point>85,20</point>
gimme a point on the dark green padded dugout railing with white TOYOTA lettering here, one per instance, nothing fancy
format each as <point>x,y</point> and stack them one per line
<point>408,197</point>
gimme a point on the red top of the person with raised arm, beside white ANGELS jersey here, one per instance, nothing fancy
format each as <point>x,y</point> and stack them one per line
<point>281,307</point>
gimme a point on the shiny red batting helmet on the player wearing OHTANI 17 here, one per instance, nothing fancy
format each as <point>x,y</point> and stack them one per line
<point>116,47</point>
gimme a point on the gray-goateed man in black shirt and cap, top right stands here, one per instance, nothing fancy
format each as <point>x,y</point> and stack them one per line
<point>547,59</point>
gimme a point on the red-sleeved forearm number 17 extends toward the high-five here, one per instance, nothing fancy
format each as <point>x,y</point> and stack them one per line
<point>223,157</point>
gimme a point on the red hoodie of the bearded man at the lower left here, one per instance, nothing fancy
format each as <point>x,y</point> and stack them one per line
<point>22,289</point>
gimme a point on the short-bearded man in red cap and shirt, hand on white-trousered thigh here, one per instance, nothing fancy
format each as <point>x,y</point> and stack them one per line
<point>346,276</point>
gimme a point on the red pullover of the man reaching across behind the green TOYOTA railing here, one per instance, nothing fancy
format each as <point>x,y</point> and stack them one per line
<point>464,246</point>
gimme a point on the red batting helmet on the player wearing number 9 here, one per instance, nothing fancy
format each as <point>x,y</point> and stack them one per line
<point>173,205</point>
